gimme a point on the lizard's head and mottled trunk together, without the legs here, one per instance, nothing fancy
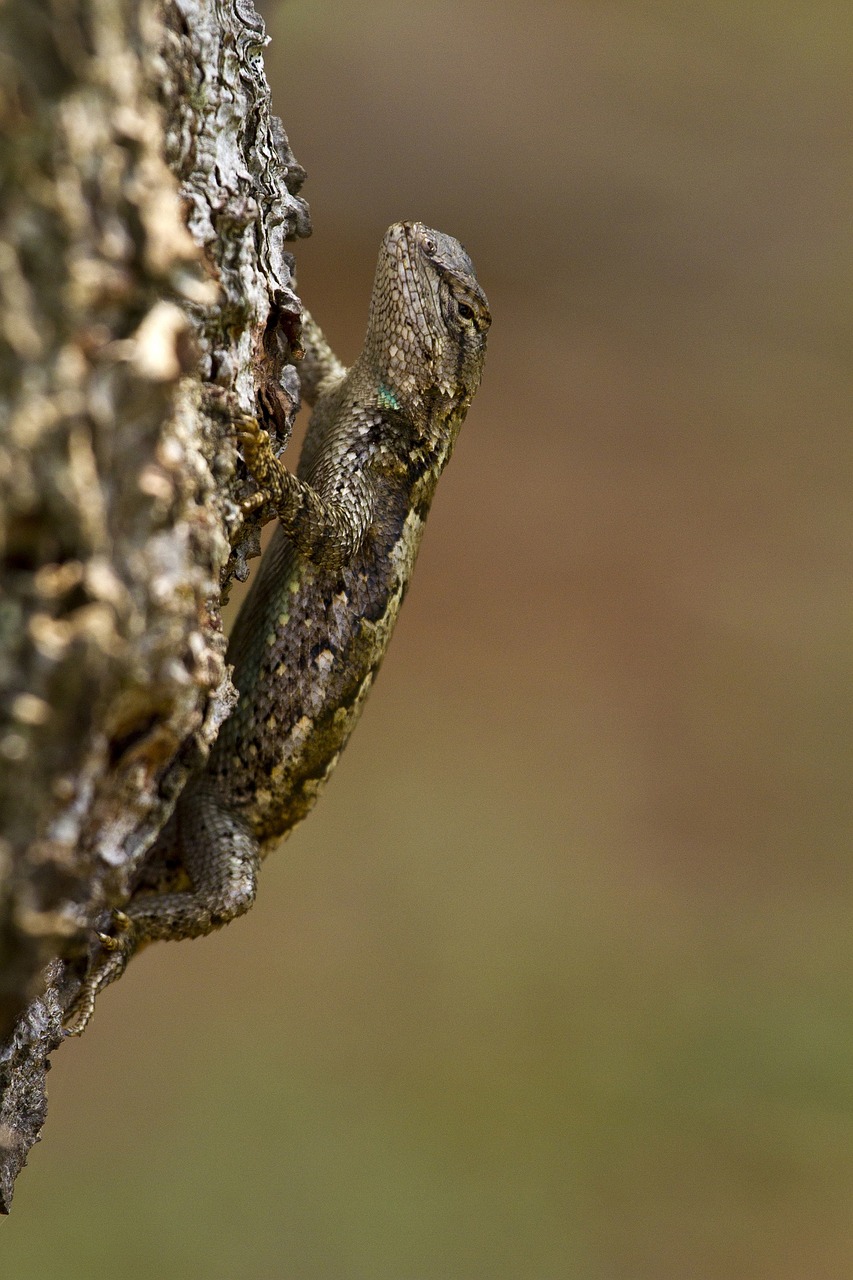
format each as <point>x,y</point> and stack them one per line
<point>311,637</point>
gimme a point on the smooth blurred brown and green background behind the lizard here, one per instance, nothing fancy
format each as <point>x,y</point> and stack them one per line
<point>564,959</point>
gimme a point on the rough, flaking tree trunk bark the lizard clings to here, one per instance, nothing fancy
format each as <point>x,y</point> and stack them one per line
<point>145,198</point>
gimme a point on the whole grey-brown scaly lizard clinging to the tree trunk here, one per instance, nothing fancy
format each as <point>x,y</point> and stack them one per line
<point>320,615</point>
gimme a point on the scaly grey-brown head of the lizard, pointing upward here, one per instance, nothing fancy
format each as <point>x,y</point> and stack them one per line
<point>428,324</point>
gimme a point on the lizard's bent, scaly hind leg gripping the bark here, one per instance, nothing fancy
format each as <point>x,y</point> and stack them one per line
<point>221,860</point>
